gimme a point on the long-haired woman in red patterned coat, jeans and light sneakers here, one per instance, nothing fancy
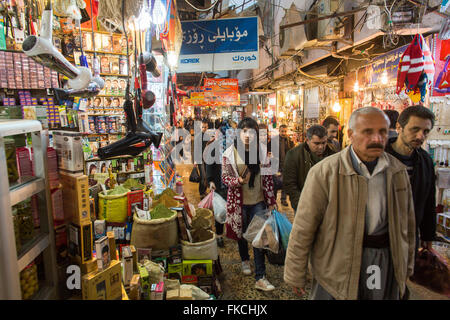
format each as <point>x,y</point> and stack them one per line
<point>249,193</point>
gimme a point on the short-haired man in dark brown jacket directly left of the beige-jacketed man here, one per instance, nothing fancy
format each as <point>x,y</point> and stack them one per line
<point>300,159</point>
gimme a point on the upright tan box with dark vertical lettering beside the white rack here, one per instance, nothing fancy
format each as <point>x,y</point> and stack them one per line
<point>76,197</point>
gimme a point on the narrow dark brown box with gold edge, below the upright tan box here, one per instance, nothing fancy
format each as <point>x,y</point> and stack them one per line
<point>80,241</point>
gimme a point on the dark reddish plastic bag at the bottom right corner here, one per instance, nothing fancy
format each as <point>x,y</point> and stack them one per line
<point>431,271</point>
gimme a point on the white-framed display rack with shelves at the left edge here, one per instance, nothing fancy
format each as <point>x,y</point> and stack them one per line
<point>12,263</point>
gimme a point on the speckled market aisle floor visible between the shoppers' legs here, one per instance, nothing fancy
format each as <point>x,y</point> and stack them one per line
<point>236,286</point>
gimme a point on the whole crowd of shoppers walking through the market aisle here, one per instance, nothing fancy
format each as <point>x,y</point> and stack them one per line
<point>360,210</point>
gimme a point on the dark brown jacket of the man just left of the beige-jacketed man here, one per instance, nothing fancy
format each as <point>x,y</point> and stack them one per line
<point>296,167</point>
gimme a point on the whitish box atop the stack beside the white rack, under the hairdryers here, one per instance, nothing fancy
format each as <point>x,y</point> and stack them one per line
<point>68,145</point>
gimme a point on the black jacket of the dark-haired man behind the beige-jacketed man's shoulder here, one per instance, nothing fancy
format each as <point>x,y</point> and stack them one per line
<point>423,185</point>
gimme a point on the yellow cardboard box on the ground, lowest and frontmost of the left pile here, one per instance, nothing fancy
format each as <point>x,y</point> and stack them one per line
<point>103,285</point>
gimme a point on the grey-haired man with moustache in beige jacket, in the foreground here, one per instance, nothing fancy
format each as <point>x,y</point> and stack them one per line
<point>355,220</point>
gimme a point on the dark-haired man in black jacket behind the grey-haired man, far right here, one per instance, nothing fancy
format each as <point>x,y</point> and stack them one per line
<point>413,126</point>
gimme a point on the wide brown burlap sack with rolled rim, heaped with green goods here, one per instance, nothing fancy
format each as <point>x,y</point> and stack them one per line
<point>158,234</point>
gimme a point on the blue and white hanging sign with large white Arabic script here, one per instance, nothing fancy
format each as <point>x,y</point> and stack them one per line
<point>224,44</point>
